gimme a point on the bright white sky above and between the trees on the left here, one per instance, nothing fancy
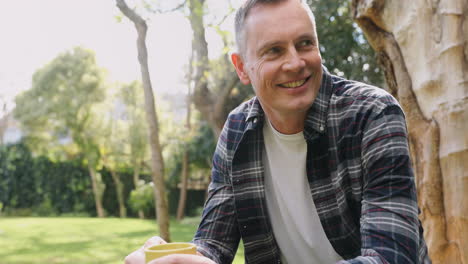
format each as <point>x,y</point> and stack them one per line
<point>33,32</point>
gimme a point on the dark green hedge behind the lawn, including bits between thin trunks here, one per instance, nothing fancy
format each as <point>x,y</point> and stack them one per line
<point>38,186</point>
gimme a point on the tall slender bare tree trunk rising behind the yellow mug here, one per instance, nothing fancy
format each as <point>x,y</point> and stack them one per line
<point>157,164</point>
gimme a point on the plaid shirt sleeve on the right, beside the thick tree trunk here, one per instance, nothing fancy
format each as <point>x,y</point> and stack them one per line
<point>389,225</point>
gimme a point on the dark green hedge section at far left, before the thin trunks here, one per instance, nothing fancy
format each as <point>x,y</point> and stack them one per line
<point>28,182</point>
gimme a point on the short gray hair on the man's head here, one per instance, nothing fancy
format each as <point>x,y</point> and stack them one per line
<point>243,12</point>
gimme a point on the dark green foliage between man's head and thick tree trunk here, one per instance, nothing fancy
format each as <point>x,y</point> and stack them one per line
<point>344,50</point>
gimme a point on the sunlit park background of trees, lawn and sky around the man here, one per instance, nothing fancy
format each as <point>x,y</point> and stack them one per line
<point>82,164</point>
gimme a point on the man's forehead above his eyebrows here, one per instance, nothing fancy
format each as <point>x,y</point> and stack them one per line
<point>277,21</point>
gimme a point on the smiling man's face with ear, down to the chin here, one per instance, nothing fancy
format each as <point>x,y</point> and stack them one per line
<point>281,58</point>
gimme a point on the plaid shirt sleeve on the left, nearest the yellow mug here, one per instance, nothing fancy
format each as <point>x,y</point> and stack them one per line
<point>218,236</point>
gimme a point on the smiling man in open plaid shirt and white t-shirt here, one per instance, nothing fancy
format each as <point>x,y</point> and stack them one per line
<point>315,168</point>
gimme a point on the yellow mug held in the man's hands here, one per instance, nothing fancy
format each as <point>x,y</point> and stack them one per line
<point>162,250</point>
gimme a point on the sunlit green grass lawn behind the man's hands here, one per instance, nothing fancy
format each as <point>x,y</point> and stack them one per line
<point>81,240</point>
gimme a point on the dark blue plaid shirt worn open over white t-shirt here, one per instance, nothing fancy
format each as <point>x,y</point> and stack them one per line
<point>359,171</point>
